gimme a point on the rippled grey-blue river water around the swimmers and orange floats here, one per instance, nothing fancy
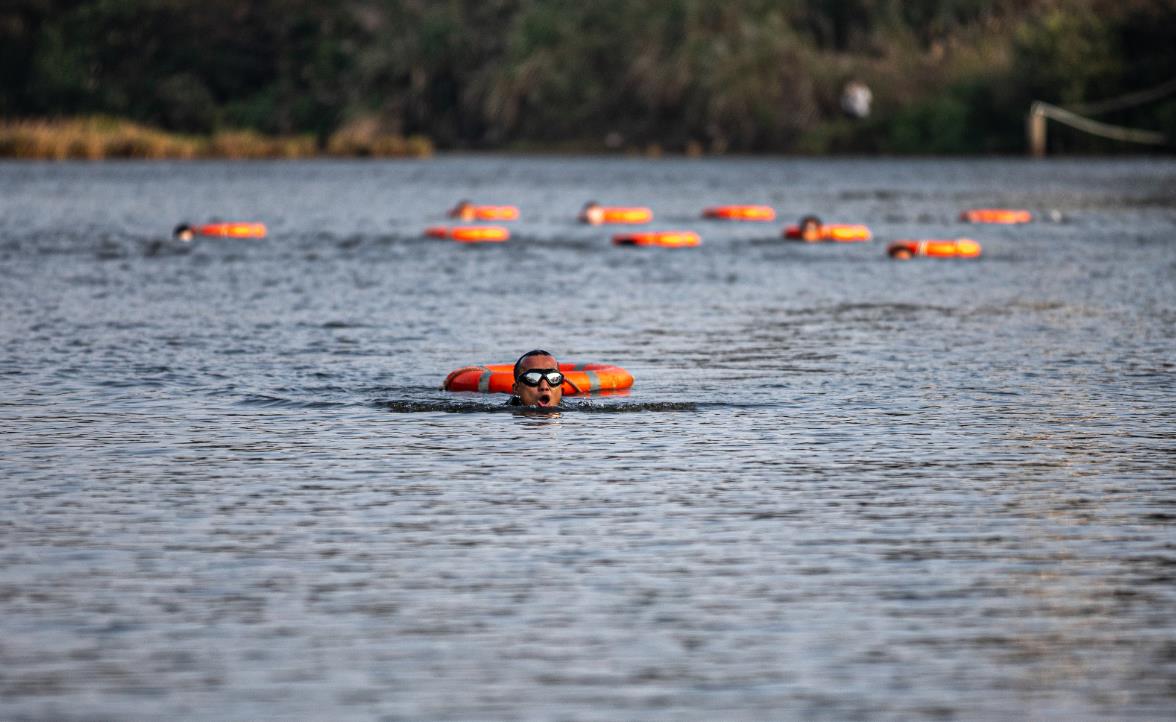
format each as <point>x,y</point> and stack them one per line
<point>843,486</point>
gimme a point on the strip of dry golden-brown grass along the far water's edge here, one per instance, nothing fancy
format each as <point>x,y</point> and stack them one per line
<point>101,138</point>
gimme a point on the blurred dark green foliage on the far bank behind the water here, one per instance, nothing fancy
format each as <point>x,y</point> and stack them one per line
<point>674,76</point>
